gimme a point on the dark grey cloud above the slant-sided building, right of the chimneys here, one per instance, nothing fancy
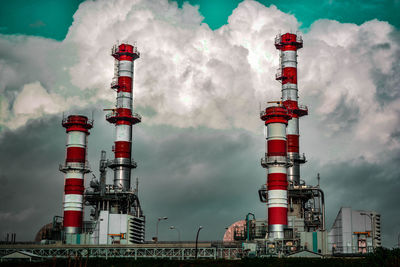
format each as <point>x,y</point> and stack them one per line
<point>363,186</point>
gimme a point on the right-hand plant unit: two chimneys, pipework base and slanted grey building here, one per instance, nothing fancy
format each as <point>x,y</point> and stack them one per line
<point>296,218</point>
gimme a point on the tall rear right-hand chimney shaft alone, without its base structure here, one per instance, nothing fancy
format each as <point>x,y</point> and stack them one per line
<point>288,44</point>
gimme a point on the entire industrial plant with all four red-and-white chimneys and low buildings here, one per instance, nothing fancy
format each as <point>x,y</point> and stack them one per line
<point>295,221</point>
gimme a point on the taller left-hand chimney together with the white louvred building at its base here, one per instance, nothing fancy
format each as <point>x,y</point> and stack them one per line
<point>117,215</point>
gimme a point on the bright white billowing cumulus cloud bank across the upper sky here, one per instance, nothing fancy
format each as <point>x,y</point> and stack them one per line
<point>191,75</point>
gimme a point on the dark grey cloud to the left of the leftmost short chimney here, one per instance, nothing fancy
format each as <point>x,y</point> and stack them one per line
<point>31,185</point>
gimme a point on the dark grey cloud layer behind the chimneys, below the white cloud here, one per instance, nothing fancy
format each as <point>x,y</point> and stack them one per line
<point>195,176</point>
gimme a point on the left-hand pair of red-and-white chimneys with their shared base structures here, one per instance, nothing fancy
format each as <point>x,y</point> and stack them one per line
<point>116,215</point>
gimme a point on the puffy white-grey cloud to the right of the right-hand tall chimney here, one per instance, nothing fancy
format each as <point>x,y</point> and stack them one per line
<point>345,68</point>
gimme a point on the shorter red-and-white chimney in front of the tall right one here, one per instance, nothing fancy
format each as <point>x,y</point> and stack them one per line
<point>276,119</point>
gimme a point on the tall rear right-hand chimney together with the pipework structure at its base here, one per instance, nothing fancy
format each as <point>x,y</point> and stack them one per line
<point>306,205</point>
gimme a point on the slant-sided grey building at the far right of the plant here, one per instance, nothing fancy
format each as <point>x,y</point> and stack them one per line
<point>355,231</point>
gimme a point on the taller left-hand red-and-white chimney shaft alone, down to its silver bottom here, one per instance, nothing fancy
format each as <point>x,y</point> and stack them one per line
<point>122,115</point>
